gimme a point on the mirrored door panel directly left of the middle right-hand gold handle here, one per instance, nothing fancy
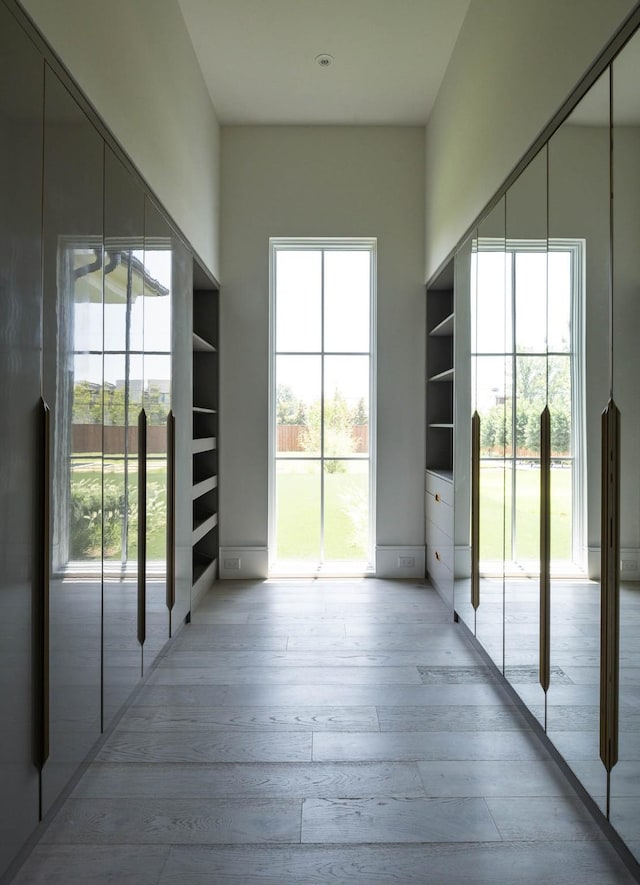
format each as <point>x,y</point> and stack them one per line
<point>526,356</point>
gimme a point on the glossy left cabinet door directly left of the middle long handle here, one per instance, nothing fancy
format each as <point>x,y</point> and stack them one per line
<point>123,333</point>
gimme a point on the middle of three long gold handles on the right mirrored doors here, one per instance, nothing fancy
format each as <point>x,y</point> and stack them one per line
<point>545,548</point>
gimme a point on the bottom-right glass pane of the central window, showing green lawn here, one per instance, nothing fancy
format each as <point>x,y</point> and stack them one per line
<point>346,520</point>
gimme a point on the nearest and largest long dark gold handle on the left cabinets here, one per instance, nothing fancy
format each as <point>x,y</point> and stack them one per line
<point>43,580</point>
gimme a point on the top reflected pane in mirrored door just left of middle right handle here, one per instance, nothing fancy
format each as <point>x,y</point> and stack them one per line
<point>531,301</point>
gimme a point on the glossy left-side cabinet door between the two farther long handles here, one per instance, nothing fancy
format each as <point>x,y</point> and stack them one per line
<point>155,384</point>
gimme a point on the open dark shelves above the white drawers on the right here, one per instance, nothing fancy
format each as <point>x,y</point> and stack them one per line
<point>440,374</point>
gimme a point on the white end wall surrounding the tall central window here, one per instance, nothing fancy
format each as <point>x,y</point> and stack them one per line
<point>320,182</point>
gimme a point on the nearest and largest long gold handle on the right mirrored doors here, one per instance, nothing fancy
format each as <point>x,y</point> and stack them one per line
<point>610,586</point>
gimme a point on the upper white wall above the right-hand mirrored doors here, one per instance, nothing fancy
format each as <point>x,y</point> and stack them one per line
<point>514,64</point>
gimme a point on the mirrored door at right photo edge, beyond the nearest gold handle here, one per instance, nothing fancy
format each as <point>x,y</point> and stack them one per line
<point>625,776</point>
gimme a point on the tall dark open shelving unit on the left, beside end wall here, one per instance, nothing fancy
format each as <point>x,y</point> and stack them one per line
<point>204,446</point>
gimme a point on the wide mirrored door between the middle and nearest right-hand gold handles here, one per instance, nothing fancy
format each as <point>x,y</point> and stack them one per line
<point>578,337</point>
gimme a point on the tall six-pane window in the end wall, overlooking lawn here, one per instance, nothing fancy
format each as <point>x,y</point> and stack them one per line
<point>322,393</point>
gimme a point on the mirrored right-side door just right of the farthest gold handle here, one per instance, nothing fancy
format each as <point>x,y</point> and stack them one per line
<point>491,334</point>
